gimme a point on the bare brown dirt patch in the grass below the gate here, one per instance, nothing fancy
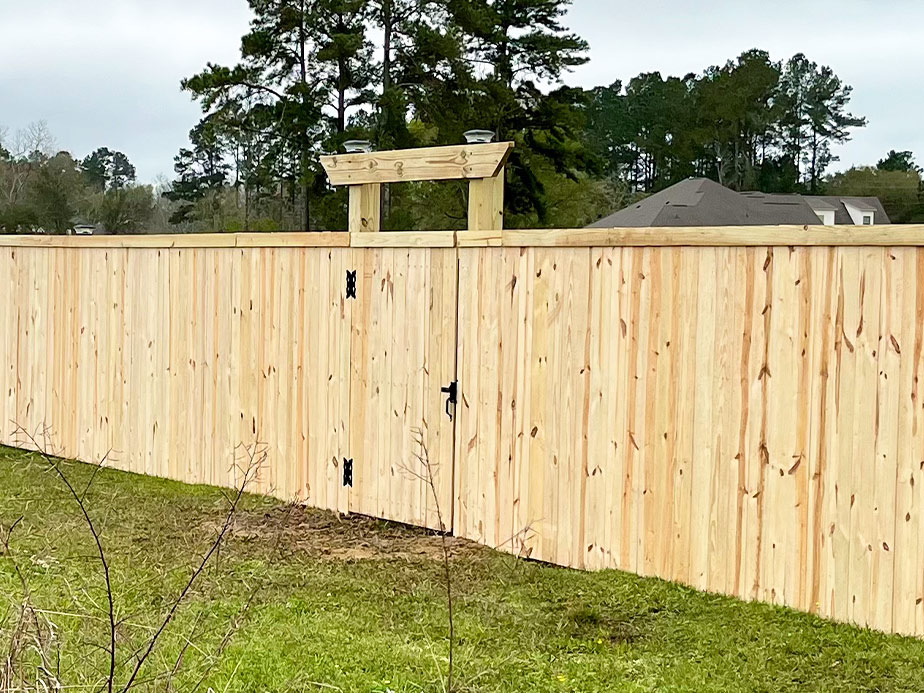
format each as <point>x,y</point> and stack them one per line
<point>327,535</point>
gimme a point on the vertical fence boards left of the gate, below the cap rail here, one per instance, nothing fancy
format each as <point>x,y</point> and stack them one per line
<point>170,359</point>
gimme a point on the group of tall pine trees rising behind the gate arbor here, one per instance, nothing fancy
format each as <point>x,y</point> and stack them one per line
<point>453,65</point>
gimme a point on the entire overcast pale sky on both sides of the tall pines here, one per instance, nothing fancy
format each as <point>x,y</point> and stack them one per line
<point>107,72</point>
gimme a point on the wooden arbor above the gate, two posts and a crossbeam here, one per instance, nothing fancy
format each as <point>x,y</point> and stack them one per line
<point>481,164</point>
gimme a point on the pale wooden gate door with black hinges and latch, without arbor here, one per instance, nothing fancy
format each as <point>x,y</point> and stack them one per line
<point>403,354</point>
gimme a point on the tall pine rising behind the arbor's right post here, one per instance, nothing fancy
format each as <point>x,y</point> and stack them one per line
<point>508,47</point>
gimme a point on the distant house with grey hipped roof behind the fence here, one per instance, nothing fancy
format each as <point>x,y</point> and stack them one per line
<point>703,202</point>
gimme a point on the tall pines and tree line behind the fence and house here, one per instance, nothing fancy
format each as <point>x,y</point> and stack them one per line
<point>313,74</point>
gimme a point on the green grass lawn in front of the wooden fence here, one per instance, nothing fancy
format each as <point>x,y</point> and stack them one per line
<point>358,605</point>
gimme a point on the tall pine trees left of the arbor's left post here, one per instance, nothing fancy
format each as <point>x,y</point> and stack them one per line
<point>304,65</point>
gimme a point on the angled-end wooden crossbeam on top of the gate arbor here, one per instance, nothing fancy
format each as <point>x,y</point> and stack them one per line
<point>454,162</point>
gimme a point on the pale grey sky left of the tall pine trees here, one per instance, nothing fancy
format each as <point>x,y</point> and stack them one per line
<point>107,73</point>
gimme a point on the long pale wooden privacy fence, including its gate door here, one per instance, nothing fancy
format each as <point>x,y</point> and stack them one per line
<point>737,409</point>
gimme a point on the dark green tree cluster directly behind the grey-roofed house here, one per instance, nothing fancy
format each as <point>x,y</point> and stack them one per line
<point>750,124</point>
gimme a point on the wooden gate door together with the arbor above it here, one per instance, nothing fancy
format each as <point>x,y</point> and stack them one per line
<point>404,329</point>
